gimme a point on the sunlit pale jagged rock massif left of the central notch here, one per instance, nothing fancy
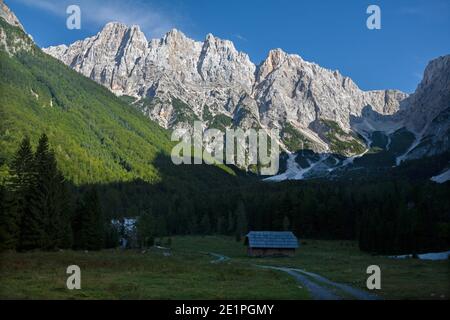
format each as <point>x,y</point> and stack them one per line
<point>210,73</point>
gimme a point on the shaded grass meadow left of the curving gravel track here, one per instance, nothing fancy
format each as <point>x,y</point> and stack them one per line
<point>117,274</point>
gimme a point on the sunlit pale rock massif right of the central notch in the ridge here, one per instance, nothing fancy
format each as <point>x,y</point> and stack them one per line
<point>291,89</point>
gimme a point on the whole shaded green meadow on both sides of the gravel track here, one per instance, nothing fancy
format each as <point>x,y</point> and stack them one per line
<point>189,274</point>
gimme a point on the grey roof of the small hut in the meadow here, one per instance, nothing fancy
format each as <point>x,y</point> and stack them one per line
<point>272,239</point>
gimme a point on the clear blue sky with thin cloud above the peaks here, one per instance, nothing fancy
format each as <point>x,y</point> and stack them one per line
<point>329,32</point>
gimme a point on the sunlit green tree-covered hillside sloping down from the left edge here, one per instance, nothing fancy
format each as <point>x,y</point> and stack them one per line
<point>97,137</point>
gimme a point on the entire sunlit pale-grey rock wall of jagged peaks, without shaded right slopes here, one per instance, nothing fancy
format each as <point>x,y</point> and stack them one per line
<point>213,73</point>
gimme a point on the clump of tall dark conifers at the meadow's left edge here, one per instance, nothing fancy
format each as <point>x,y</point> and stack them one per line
<point>36,209</point>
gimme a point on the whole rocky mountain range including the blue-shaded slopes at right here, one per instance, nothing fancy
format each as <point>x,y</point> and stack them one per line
<point>326,122</point>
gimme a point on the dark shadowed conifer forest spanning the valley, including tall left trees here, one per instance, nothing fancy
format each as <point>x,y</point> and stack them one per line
<point>41,210</point>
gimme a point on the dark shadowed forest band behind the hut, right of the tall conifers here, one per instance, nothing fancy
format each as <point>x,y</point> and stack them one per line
<point>384,215</point>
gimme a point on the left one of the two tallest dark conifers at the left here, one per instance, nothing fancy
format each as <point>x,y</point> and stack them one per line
<point>22,185</point>
